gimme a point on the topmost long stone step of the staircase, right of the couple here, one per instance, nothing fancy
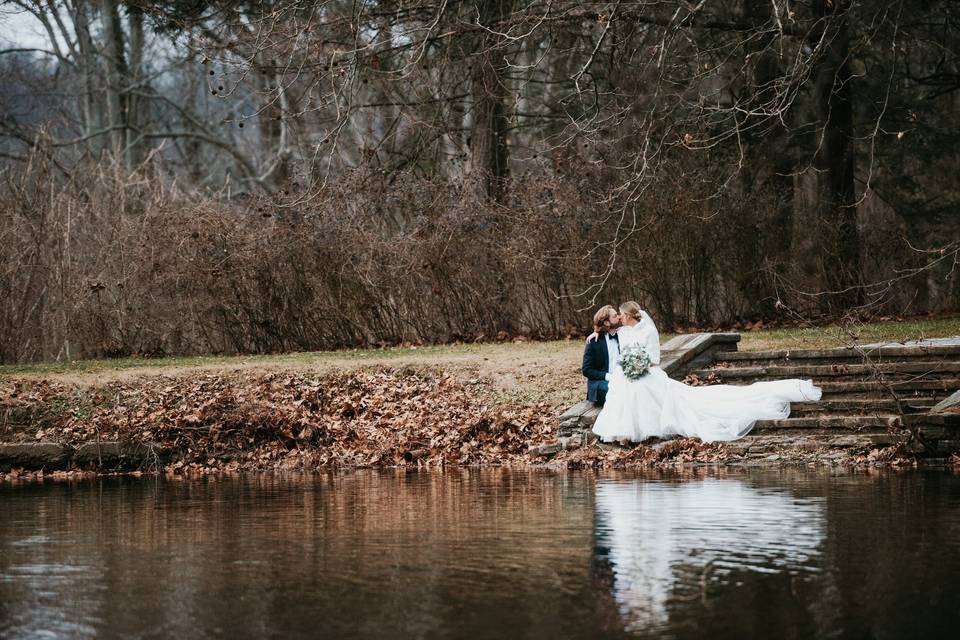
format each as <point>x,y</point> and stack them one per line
<point>896,353</point>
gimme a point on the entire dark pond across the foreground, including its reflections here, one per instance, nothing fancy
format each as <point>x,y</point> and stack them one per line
<point>489,553</point>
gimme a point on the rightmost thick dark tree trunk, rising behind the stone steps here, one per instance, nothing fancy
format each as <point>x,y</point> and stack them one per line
<point>834,160</point>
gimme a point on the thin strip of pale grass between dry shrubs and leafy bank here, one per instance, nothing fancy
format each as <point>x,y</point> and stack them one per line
<point>466,354</point>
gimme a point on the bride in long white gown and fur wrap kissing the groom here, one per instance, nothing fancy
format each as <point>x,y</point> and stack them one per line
<point>657,405</point>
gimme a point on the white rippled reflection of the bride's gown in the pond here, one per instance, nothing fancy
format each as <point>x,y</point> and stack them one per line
<point>666,543</point>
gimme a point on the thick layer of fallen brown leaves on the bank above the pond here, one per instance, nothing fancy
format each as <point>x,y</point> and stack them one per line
<point>217,422</point>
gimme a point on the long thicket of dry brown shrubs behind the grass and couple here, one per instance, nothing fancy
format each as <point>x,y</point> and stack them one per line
<point>103,263</point>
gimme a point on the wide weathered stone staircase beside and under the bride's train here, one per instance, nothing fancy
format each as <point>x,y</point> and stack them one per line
<point>873,395</point>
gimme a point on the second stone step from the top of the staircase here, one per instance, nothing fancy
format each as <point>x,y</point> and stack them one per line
<point>890,370</point>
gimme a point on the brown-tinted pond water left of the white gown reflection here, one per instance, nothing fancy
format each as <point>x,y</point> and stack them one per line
<point>363,554</point>
